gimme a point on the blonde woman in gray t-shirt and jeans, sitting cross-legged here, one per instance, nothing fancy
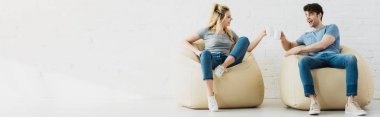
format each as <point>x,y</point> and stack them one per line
<point>223,48</point>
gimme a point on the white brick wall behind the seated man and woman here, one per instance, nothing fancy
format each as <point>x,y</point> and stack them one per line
<point>123,49</point>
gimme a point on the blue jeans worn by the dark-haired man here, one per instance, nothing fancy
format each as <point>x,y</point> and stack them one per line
<point>332,60</point>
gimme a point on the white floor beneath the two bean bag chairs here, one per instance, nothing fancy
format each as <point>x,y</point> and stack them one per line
<point>148,108</point>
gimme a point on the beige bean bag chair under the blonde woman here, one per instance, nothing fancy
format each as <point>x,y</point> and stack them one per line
<point>241,86</point>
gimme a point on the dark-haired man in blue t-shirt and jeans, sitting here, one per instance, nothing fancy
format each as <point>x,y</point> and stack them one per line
<point>323,46</point>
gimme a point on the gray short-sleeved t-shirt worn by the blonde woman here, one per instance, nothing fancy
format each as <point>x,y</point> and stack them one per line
<point>216,43</point>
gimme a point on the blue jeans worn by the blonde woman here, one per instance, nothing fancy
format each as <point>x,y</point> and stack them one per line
<point>211,60</point>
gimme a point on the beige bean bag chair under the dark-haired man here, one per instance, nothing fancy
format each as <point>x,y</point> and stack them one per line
<point>329,84</point>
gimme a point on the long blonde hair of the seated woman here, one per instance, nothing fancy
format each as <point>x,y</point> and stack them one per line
<point>218,14</point>
